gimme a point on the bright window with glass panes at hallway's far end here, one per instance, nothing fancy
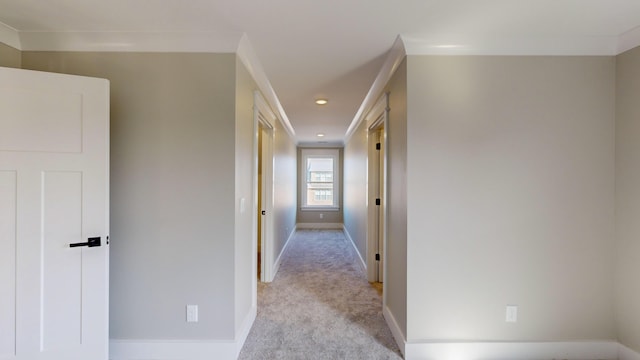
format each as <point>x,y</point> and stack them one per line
<point>319,182</point>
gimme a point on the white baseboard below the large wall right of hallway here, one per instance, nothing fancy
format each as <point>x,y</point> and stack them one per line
<point>578,350</point>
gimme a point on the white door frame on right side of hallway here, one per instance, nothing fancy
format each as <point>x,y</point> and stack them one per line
<point>377,119</point>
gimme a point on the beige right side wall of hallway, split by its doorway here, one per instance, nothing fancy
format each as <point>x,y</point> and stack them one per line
<point>355,196</point>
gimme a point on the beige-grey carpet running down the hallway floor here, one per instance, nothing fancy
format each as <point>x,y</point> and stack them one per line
<point>320,306</point>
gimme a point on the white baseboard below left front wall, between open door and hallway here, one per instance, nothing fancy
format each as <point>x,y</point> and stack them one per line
<point>172,349</point>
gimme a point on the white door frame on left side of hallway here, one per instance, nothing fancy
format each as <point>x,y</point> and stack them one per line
<point>264,119</point>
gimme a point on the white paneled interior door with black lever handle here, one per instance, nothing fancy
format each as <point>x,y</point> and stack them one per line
<point>54,182</point>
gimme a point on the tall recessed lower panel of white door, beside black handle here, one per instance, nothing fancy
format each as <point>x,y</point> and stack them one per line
<point>61,265</point>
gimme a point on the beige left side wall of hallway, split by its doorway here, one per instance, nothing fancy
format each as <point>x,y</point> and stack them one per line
<point>284,197</point>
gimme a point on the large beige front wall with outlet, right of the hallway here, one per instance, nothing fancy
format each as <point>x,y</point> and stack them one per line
<point>510,185</point>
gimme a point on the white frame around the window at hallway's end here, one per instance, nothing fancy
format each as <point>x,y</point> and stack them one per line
<point>306,154</point>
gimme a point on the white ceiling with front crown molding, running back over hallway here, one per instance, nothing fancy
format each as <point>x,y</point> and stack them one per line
<point>333,49</point>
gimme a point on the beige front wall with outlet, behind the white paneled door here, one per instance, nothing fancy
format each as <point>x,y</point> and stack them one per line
<point>172,188</point>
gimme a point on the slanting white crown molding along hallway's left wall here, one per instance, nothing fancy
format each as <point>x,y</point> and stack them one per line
<point>247,55</point>
